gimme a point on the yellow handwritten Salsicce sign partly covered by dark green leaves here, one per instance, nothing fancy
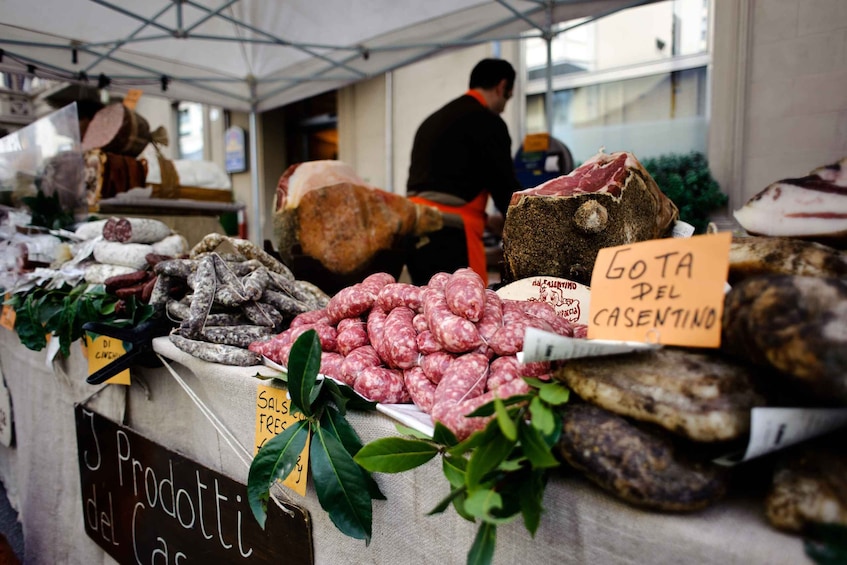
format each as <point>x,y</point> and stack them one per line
<point>272,418</point>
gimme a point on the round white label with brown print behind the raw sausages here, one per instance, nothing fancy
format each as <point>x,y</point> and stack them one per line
<point>570,299</point>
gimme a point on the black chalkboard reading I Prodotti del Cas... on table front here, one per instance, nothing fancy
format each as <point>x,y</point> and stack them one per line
<point>143,503</point>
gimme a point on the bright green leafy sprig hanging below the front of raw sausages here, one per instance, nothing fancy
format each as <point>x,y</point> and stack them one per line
<point>496,474</point>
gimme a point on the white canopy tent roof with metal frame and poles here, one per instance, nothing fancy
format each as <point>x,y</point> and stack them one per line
<point>255,55</point>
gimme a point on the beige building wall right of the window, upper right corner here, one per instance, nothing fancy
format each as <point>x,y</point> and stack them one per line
<point>779,87</point>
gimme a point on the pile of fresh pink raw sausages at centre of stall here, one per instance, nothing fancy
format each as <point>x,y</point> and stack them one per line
<point>448,346</point>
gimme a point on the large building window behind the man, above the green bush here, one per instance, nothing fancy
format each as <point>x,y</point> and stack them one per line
<point>636,80</point>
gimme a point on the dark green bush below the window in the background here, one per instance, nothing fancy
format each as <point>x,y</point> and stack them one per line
<point>687,181</point>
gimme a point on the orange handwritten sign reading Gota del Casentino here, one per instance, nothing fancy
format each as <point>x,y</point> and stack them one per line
<point>667,291</point>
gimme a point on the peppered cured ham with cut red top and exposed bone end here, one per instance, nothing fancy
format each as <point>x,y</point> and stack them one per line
<point>557,228</point>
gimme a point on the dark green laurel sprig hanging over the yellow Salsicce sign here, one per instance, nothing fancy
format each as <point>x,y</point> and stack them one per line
<point>344,489</point>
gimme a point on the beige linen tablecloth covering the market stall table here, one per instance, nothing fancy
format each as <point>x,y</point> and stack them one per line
<point>581,524</point>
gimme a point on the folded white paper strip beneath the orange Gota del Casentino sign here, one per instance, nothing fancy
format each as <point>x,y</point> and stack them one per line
<point>545,346</point>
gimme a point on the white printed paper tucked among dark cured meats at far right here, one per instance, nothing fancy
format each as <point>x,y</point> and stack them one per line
<point>772,429</point>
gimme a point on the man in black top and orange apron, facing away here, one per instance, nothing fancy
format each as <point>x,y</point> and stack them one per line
<point>461,155</point>
